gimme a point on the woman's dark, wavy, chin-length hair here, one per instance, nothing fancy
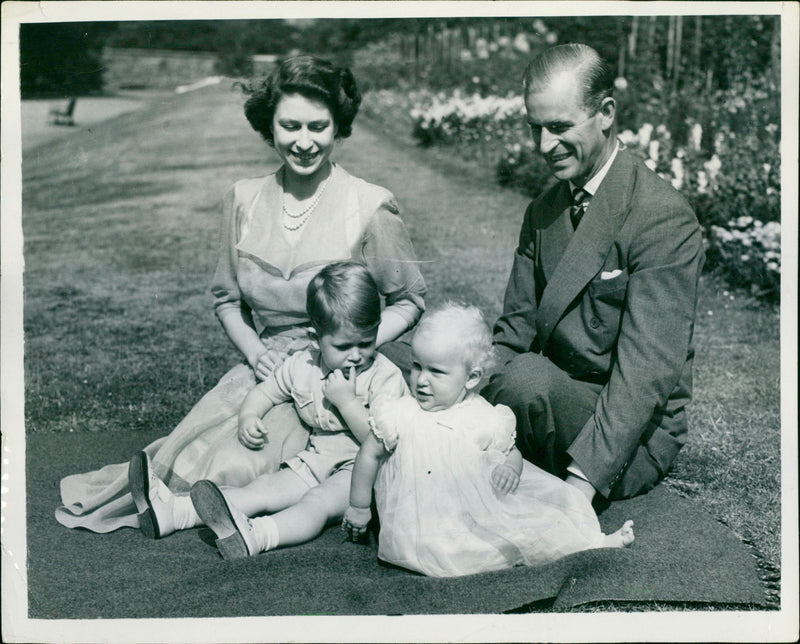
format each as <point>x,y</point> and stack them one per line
<point>309,76</point>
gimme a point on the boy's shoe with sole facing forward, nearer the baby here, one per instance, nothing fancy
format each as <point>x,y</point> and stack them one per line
<point>234,530</point>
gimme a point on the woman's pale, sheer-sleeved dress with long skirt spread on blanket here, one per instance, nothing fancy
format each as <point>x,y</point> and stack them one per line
<point>263,275</point>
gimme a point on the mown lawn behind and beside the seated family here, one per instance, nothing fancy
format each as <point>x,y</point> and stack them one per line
<point>120,227</point>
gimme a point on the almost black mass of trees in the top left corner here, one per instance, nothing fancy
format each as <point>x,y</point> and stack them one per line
<point>62,58</point>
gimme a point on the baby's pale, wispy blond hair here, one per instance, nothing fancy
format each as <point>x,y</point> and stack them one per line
<point>466,324</point>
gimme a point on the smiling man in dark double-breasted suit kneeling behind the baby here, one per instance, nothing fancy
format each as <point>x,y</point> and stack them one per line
<point>596,331</point>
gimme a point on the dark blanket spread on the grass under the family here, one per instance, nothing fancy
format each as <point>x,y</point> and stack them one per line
<point>681,554</point>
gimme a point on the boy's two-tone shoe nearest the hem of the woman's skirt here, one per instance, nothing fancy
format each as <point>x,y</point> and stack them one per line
<point>153,499</point>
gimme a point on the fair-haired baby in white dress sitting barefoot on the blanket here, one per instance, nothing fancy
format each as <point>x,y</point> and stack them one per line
<point>452,491</point>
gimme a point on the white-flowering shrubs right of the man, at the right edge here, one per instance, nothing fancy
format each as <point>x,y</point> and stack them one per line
<point>730,172</point>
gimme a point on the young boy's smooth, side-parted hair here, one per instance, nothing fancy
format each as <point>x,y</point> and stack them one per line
<point>343,294</point>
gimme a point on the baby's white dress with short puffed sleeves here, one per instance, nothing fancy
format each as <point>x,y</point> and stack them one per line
<point>438,511</point>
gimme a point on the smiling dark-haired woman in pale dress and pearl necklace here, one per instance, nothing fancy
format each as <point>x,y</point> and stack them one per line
<point>278,231</point>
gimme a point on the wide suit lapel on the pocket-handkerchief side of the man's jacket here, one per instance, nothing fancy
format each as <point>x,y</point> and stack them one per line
<point>588,248</point>
